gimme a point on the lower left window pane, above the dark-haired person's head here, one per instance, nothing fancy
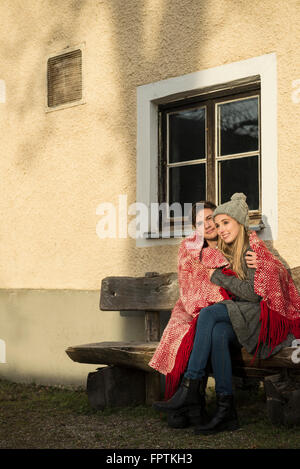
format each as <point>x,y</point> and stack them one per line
<point>187,184</point>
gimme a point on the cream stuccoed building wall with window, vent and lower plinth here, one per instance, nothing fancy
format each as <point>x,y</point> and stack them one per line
<point>101,106</point>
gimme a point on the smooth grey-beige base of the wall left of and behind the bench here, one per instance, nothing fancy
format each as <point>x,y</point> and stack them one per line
<point>37,326</point>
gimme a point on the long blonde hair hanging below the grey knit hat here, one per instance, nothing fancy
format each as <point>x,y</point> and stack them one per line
<point>235,251</point>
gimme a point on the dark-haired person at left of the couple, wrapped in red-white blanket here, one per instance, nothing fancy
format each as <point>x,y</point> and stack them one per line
<point>197,254</point>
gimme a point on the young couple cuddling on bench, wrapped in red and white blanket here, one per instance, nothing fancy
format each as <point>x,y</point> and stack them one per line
<point>233,292</point>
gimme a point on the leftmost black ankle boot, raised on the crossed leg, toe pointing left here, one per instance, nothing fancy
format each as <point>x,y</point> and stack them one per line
<point>191,392</point>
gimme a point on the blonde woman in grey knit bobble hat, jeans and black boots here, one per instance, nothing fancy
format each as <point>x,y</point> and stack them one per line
<point>253,312</point>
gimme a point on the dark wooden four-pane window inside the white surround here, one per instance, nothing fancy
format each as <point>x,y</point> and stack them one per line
<point>210,148</point>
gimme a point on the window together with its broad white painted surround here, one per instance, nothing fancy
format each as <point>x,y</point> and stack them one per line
<point>256,77</point>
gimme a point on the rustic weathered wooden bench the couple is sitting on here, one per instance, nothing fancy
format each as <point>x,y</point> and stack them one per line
<point>127,362</point>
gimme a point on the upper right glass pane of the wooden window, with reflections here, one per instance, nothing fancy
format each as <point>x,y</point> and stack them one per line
<point>238,126</point>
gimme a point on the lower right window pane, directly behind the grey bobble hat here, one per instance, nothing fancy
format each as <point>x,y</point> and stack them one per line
<point>240,175</point>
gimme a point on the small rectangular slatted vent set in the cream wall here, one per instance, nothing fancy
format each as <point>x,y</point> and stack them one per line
<point>64,78</point>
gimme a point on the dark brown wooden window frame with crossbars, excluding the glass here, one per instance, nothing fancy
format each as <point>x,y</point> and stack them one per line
<point>209,98</point>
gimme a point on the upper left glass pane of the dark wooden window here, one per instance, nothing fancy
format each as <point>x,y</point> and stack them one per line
<point>187,135</point>
